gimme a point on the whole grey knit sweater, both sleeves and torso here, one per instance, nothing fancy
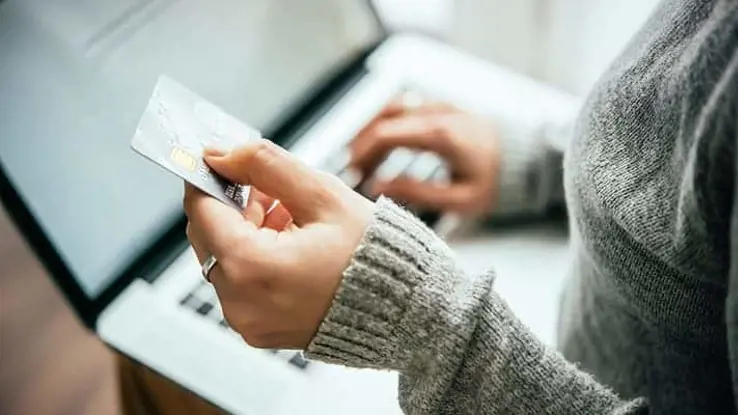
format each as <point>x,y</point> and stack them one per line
<point>649,321</point>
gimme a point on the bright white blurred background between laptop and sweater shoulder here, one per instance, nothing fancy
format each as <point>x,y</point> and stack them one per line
<point>566,42</point>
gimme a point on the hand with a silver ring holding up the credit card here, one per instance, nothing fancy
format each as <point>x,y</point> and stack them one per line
<point>277,270</point>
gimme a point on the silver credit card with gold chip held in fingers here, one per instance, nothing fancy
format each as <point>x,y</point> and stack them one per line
<point>175,128</point>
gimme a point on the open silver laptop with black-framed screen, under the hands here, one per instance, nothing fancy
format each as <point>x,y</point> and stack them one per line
<point>108,225</point>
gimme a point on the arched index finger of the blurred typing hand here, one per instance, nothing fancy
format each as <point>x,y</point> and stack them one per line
<point>416,132</point>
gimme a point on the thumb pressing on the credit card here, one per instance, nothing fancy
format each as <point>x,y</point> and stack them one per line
<point>274,171</point>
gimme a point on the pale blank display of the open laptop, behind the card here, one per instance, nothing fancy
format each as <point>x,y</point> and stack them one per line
<point>76,75</point>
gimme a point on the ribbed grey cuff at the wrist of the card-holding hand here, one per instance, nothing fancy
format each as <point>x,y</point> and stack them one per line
<point>374,320</point>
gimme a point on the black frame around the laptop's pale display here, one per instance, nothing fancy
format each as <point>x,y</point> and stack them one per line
<point>168,246</point>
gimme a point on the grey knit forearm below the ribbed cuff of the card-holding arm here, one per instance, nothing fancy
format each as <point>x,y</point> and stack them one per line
<point>509,371</point>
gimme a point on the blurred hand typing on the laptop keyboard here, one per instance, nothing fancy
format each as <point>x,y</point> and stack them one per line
<point>467,143</point>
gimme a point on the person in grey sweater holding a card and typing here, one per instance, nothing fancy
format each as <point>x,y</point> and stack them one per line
<point>650,311</point>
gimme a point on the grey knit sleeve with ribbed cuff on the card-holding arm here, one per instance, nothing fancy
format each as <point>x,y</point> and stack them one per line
<point>404,305</point>
